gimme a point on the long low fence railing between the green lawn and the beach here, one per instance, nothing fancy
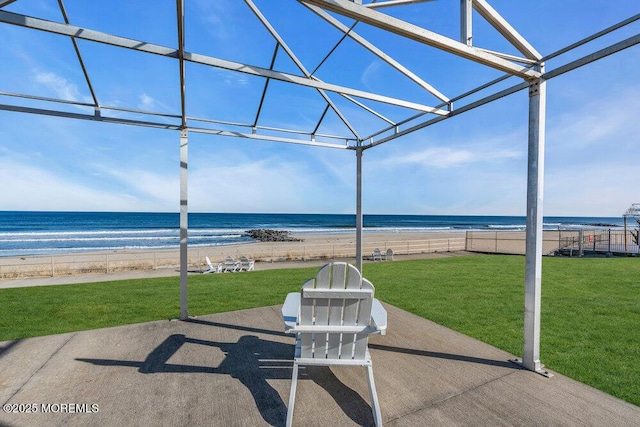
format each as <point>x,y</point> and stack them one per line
<point>573,242</point>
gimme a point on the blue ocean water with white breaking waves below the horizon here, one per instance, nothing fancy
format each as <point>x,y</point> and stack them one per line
<point>39,233</point>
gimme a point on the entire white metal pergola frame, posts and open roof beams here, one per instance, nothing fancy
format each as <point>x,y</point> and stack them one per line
<point>530,68</point>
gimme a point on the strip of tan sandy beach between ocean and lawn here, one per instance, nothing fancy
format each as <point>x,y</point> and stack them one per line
<point>313,248</point>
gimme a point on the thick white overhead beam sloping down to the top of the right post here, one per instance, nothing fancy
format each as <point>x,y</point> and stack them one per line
<point>421,35</point>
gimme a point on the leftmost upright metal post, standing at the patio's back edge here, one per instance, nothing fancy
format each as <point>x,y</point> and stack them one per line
<point>184,223</point>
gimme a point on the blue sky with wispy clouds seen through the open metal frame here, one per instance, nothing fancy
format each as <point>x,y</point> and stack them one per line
<point>474,163</point>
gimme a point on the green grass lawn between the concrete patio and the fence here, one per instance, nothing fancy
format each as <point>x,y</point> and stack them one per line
<point>590,307</point>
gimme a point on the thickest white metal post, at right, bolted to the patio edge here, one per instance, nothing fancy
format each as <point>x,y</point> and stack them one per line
<point>534,231</point>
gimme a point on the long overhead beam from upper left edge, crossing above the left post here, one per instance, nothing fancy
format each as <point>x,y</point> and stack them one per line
<point>100,37</point>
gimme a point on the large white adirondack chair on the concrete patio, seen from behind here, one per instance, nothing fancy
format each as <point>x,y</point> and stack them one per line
<point>332,317</point>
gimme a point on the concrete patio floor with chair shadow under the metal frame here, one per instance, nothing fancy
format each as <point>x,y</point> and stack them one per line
<point>234,369</point>
